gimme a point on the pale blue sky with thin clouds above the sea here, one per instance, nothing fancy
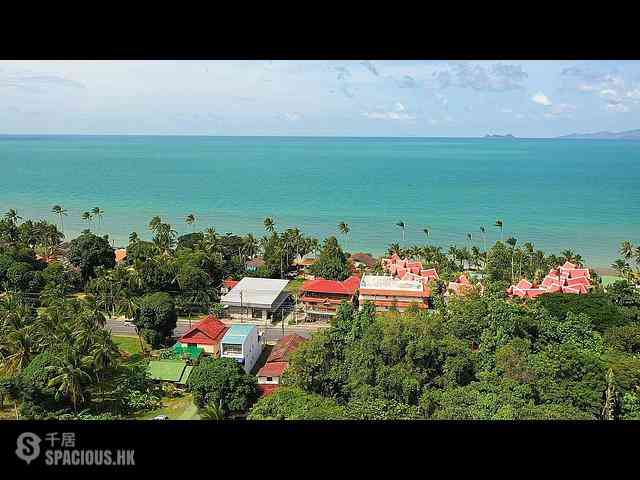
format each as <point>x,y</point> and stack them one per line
<point>319,98</point>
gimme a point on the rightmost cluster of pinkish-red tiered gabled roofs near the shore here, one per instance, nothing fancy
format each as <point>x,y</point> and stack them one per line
<point>568,278</point>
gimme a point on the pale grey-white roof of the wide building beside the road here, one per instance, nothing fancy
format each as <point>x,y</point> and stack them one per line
<point>267,293</point>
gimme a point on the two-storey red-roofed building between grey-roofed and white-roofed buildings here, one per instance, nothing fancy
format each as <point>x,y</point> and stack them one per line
<point>320,297</point>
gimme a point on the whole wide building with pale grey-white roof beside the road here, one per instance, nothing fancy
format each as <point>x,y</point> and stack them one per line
<point>257,298</point>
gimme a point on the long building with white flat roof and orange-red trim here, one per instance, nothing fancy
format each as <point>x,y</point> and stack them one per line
<point>387,293</point>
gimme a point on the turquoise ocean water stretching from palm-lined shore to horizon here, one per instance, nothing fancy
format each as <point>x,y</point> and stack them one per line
<point>558,194</point>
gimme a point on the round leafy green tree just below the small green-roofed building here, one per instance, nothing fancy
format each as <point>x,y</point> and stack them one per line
<point>223,382</point>
